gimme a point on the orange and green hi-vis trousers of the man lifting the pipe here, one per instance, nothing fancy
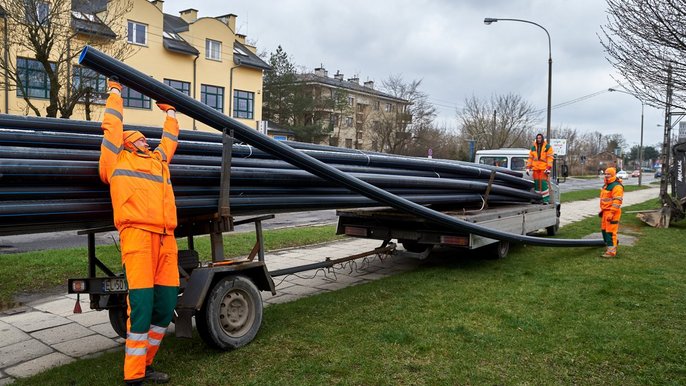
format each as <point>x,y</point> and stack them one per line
<point>150,263</point>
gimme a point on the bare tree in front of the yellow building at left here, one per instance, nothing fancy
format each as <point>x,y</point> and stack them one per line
<point>45,40</point>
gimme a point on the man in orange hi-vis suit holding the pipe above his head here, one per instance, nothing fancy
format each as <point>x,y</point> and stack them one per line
<point>145,216</point>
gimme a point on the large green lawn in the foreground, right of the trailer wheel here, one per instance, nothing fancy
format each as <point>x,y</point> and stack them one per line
<point>542,316</point>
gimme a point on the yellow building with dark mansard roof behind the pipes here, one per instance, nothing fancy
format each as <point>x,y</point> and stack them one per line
<point>203,57</point>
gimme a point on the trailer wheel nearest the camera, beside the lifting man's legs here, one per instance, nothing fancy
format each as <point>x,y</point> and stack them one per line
<point>231,315</point>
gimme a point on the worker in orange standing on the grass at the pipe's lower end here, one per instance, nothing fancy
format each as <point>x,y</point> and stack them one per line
<point>611,197</point>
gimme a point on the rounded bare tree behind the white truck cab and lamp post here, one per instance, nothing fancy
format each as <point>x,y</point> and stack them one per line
<point>503,121</point>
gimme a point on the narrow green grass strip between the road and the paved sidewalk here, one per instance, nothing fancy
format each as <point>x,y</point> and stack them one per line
<point>40,271</point>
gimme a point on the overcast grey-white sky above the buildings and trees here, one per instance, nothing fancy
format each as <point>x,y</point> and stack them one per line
<point>446,44</point>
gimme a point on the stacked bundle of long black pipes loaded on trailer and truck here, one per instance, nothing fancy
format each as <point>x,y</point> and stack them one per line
<point>49,177</point>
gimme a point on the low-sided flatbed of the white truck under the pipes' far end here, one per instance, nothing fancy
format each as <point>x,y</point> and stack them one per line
<point>419,236</point>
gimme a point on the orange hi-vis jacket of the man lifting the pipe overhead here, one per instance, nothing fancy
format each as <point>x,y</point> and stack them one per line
<point>140,184</point>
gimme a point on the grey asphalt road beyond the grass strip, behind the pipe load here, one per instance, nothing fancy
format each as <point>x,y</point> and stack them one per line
<point>61,240</point>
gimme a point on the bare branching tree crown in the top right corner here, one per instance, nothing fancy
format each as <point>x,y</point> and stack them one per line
<point>642,38</point>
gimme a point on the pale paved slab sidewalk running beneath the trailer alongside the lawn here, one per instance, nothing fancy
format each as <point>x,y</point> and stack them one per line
<point>46,333</point>
